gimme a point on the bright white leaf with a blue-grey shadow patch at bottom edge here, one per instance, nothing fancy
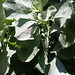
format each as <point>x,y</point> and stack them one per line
<point>57,68</point>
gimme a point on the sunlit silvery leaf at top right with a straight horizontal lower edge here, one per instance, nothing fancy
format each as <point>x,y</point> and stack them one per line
<point>65,10</point>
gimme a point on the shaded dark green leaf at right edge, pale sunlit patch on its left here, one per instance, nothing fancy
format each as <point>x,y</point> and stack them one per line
<point>68,33</point>
